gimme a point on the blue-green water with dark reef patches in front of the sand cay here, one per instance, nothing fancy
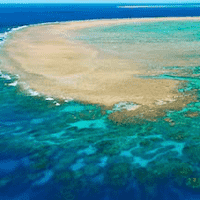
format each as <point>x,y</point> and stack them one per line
<point>43,144</point>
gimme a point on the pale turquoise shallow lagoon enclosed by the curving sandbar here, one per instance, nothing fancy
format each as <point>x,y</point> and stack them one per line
<point>157,44</point>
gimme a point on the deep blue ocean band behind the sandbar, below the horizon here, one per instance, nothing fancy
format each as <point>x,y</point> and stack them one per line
<point>12,15</point>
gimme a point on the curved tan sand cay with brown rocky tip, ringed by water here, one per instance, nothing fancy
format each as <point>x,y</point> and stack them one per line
<point>52,63</point>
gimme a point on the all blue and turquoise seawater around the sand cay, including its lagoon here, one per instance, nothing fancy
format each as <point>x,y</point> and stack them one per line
<point>65,150</point>
